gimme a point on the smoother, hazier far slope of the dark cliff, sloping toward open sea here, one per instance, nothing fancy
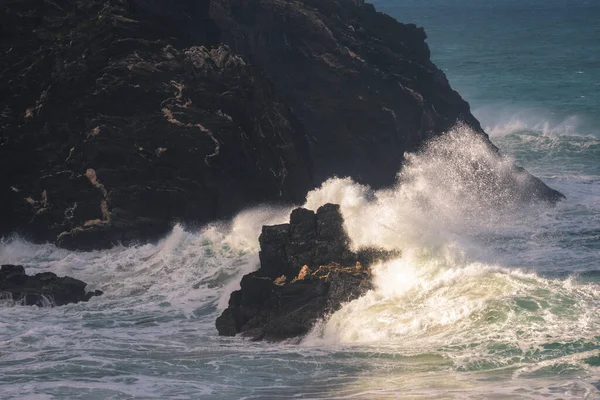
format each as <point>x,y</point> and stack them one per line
<point>360,82</point>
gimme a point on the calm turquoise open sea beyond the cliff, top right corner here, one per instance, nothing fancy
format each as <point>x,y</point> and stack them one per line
<point>531,56</point>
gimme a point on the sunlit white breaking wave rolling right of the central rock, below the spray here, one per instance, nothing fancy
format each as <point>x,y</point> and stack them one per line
<point>474,314</point>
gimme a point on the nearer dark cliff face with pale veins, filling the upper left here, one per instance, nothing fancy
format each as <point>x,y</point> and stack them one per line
<point>119,119</point>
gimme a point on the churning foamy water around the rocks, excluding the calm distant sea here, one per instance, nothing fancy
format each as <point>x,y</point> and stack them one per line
<point>484,285</point>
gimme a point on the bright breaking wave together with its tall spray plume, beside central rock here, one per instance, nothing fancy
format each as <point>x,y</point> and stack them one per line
<point>448,289</point>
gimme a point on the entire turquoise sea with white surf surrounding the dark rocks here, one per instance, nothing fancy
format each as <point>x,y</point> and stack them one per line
<point>489,300</point>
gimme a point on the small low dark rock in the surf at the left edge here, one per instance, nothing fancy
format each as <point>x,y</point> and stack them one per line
<point>43,289</point>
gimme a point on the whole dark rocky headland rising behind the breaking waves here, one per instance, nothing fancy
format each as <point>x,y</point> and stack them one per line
<point>120,117</point>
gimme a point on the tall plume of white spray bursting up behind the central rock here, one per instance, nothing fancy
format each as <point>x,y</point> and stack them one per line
<point>456,187</point>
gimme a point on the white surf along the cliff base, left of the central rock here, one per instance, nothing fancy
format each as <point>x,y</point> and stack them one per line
<point>186,270</point>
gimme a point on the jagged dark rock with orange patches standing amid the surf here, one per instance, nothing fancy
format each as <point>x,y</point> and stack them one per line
<point>307,272</point>
